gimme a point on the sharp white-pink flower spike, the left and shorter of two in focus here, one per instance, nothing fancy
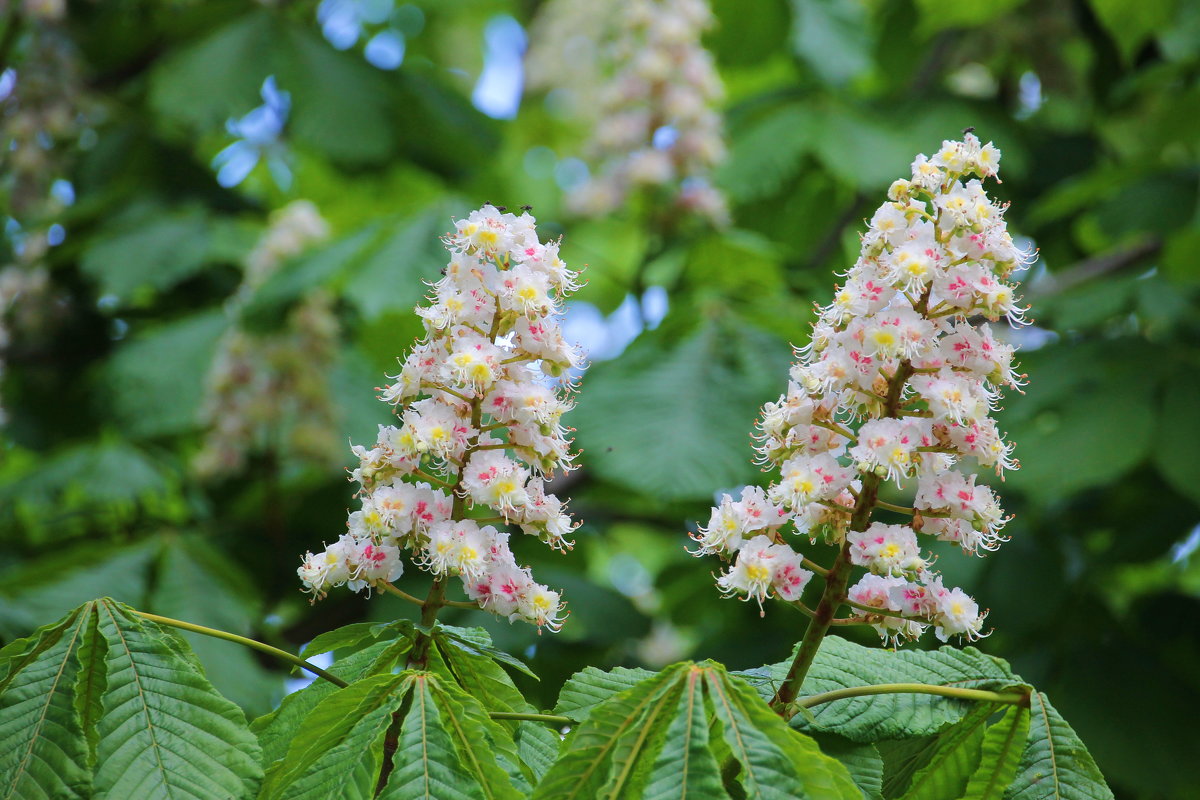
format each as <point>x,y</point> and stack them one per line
<point>481,430</point>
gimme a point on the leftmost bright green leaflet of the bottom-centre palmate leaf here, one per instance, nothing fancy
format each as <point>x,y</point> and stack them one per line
<point>587,761</point>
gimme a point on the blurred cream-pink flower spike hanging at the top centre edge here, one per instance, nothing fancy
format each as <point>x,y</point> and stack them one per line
<point>652,100</point>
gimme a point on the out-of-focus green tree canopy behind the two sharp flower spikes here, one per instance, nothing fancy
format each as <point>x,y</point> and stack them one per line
<point>148,145</point>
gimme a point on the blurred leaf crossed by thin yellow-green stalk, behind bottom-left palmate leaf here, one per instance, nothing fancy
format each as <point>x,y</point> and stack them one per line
<point>197,584</point>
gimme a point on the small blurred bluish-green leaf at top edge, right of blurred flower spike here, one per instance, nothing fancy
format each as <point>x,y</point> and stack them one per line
<point>833,38</point>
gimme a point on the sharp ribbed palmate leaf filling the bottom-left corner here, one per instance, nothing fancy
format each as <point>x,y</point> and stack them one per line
<point>105,706</point>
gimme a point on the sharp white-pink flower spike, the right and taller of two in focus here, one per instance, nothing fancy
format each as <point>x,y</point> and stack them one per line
<point>896,387</point>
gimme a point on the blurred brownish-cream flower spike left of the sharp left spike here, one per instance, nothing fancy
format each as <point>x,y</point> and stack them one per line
<point>272,390</point>
